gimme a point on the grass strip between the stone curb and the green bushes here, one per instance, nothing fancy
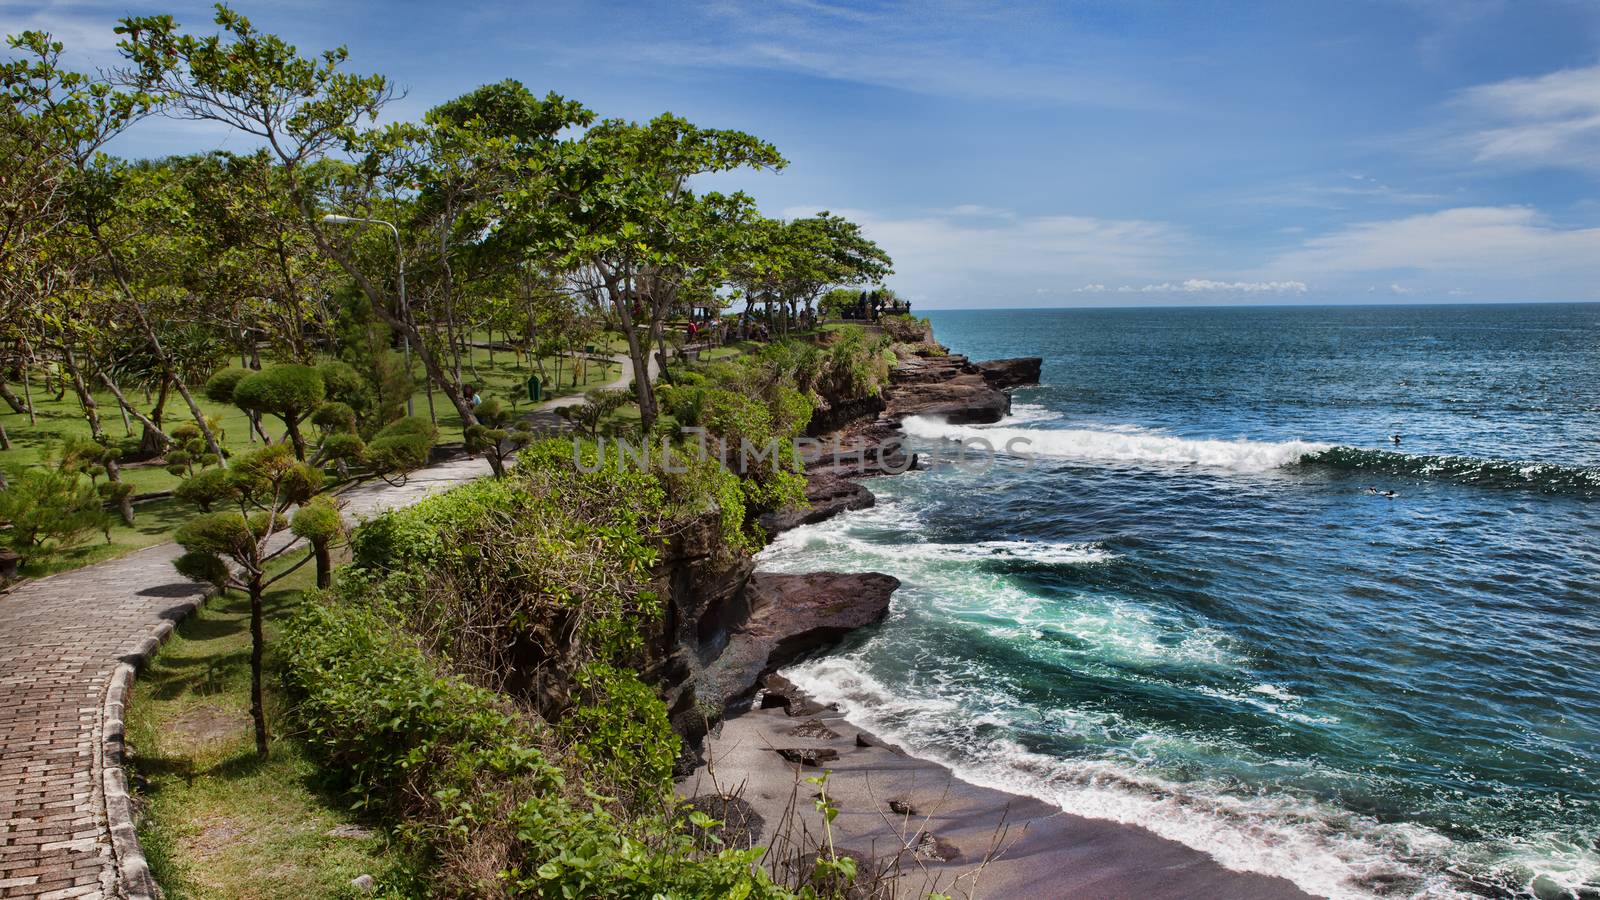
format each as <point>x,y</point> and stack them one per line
<point>218,822</point>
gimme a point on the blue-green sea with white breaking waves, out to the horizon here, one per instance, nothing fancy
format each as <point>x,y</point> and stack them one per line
<point>1190,613</point>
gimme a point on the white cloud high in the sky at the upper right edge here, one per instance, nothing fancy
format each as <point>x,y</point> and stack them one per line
<point>1546,121</point>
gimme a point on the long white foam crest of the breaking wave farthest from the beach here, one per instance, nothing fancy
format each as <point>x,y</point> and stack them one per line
<point>1122,446</point>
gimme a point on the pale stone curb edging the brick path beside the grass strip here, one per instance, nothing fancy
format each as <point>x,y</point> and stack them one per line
<point>134,874</point>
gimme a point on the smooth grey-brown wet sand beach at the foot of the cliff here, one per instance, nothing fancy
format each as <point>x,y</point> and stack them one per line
<point>950,835</point>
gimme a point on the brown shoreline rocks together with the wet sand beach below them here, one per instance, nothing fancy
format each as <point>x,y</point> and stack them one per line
<point>754,737</point>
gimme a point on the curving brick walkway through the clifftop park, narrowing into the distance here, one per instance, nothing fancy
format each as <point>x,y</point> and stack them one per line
<point>62,640</point>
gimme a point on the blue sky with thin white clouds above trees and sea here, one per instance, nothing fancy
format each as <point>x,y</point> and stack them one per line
<point>1070,155</point>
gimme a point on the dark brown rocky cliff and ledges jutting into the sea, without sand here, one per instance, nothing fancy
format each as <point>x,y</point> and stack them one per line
<point>726,629</point>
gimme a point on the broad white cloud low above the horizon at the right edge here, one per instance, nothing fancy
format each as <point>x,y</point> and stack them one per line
<point>1510,252</point>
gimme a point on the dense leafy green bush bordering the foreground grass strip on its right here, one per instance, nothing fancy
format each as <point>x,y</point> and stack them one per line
<point>487,811</point>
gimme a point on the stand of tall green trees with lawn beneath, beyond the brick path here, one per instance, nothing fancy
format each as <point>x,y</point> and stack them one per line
<point>159,318</point>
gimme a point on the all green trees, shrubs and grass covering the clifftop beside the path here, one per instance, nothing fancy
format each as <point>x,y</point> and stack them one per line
<point>484,681</point>
